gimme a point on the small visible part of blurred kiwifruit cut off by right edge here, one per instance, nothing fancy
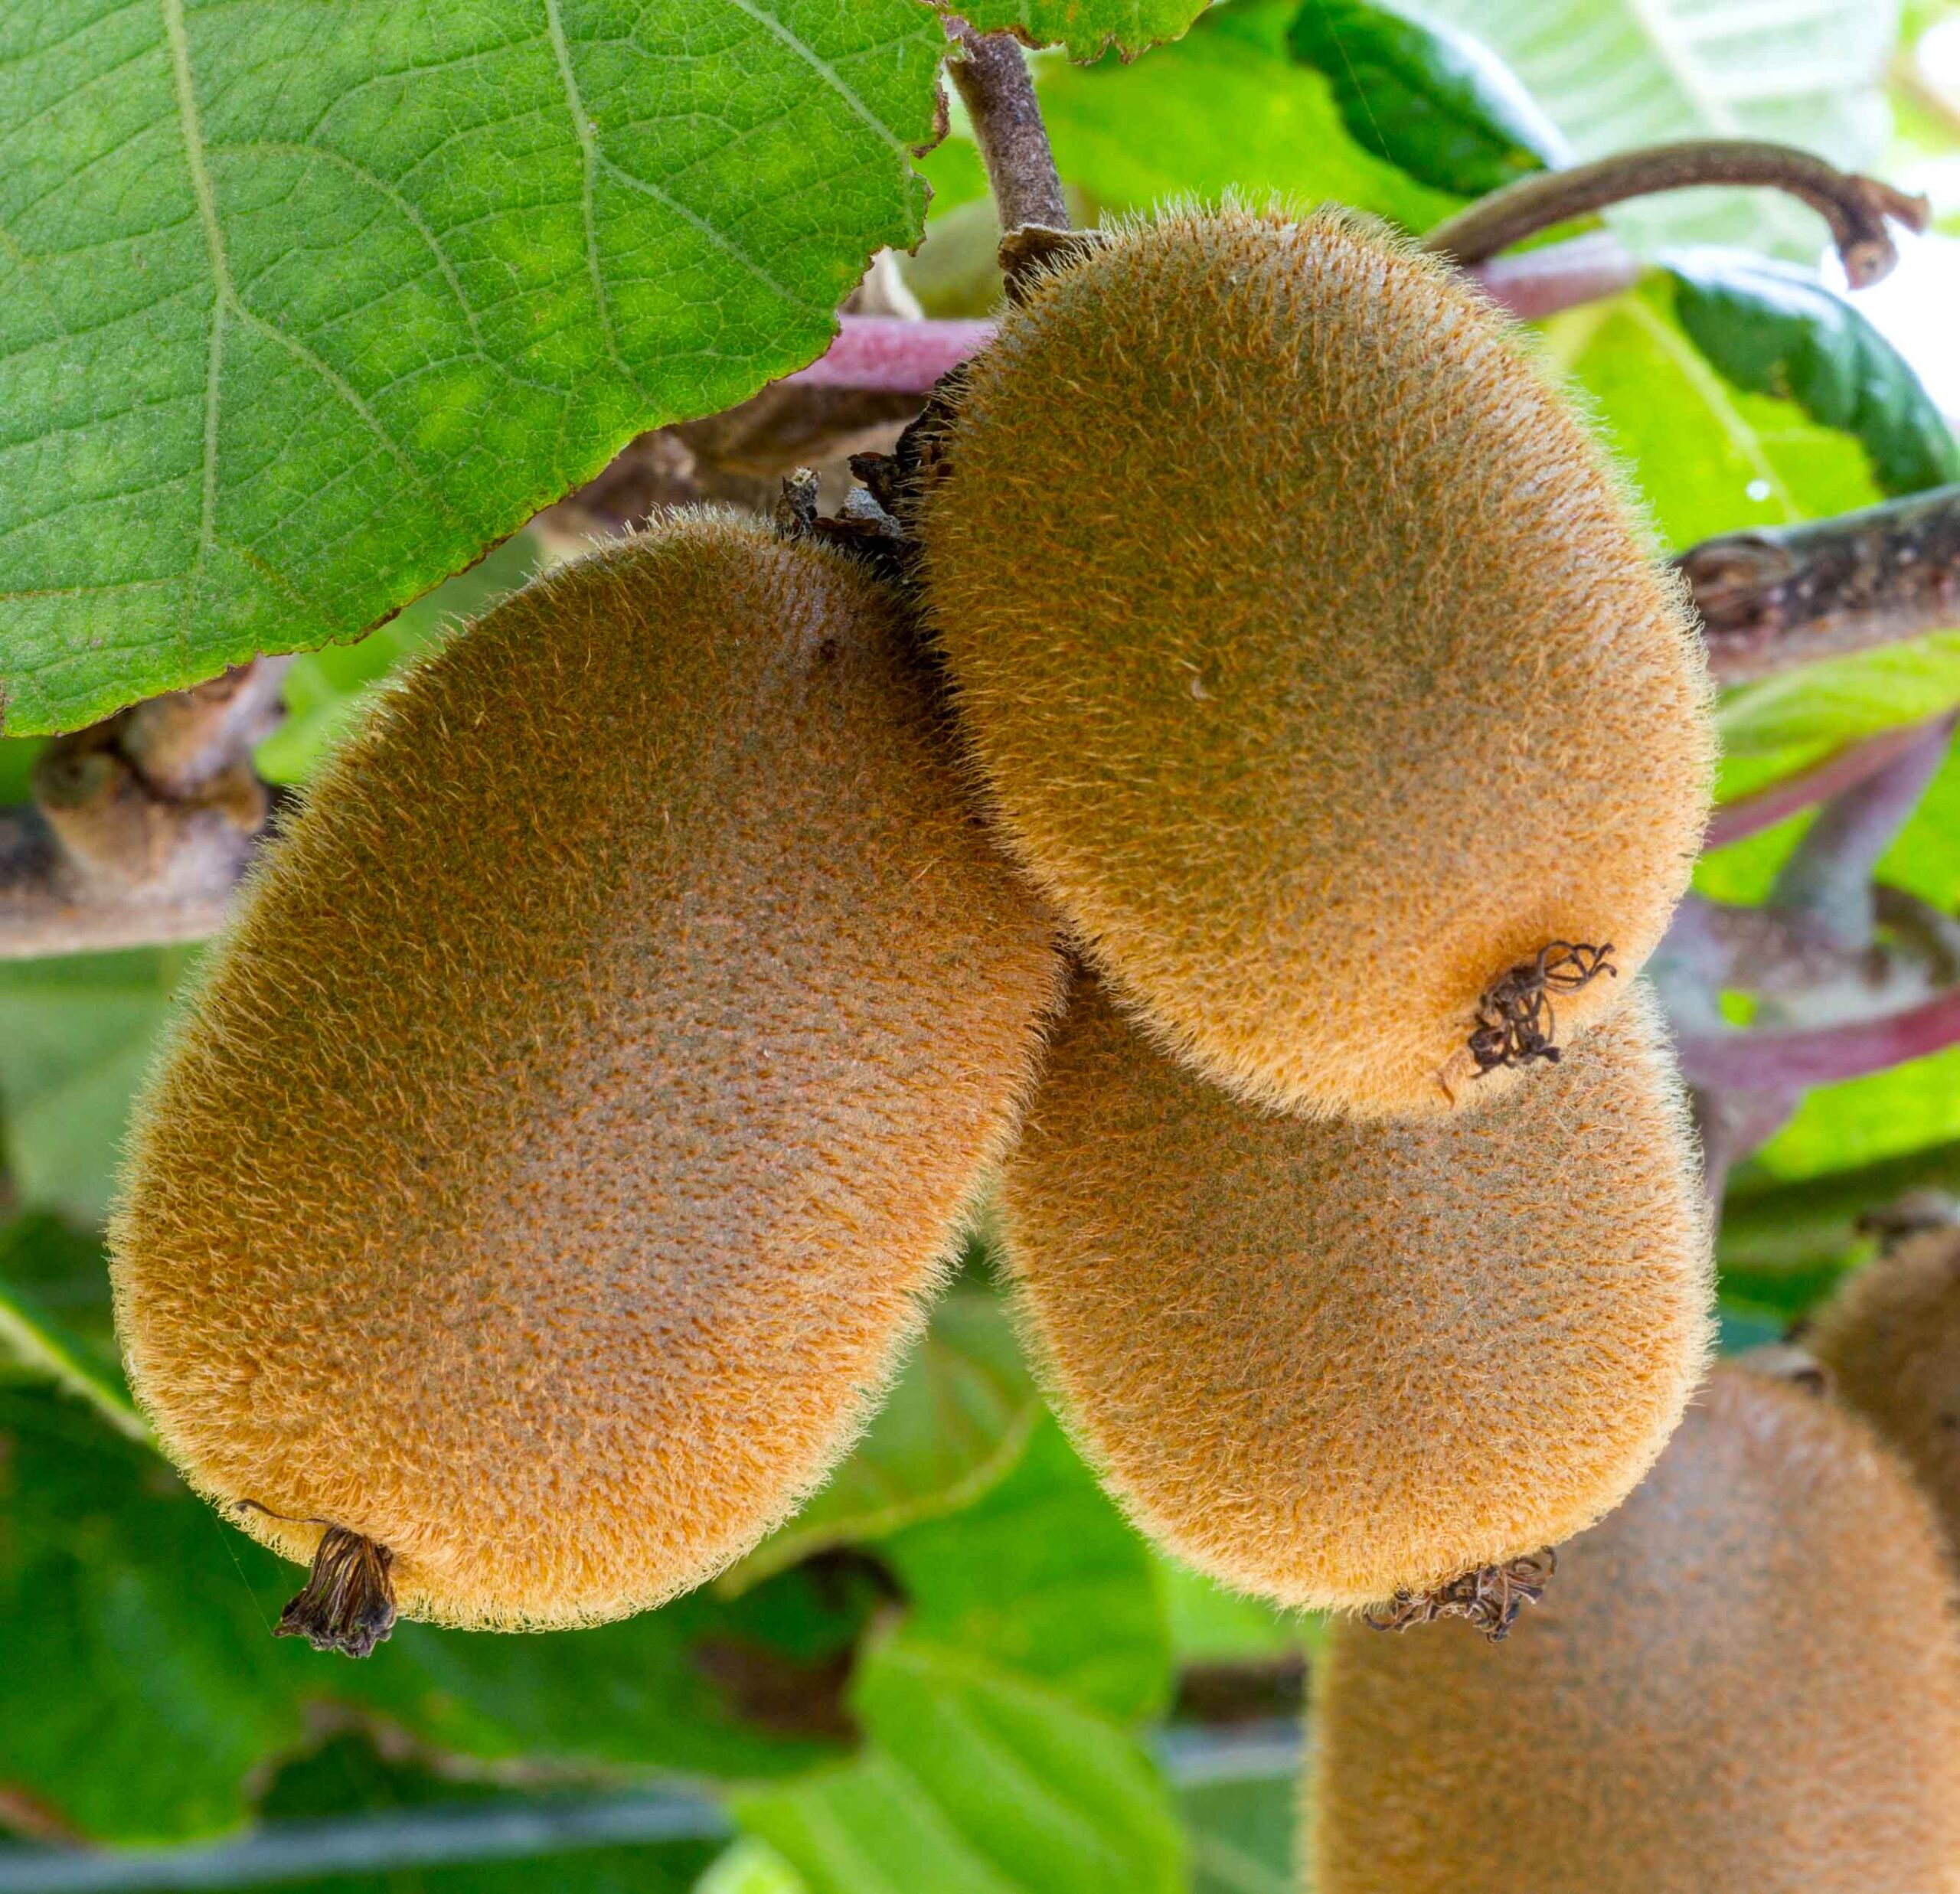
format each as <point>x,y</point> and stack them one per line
<point>1890,1342</point>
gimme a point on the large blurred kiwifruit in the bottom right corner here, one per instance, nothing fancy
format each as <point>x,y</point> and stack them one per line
<point>1745,1679</point>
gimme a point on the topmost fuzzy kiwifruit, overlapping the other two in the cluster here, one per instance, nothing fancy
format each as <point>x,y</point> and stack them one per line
<point>1312,660</point>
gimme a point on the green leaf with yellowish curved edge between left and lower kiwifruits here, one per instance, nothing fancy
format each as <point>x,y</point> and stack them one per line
<point>952,1428</point>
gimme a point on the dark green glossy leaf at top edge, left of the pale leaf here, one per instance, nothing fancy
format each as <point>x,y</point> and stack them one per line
<point>1426,97</point>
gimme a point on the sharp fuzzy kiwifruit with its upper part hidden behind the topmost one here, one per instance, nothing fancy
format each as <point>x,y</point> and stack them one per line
<point>1338,1362</point>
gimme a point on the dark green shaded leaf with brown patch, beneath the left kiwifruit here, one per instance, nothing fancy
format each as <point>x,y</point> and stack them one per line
<point>142,1685</point>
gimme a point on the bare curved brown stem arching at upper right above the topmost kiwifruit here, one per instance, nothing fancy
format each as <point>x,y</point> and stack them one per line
<point>1855,207</point>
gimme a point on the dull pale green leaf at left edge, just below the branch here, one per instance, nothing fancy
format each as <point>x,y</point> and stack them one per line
<point>75,1042</point>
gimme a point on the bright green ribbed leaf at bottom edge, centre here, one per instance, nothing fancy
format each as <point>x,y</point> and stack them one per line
<point>975,1783</point>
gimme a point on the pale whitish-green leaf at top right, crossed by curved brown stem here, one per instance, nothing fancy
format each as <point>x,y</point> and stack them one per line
<point>1620,74</point>
